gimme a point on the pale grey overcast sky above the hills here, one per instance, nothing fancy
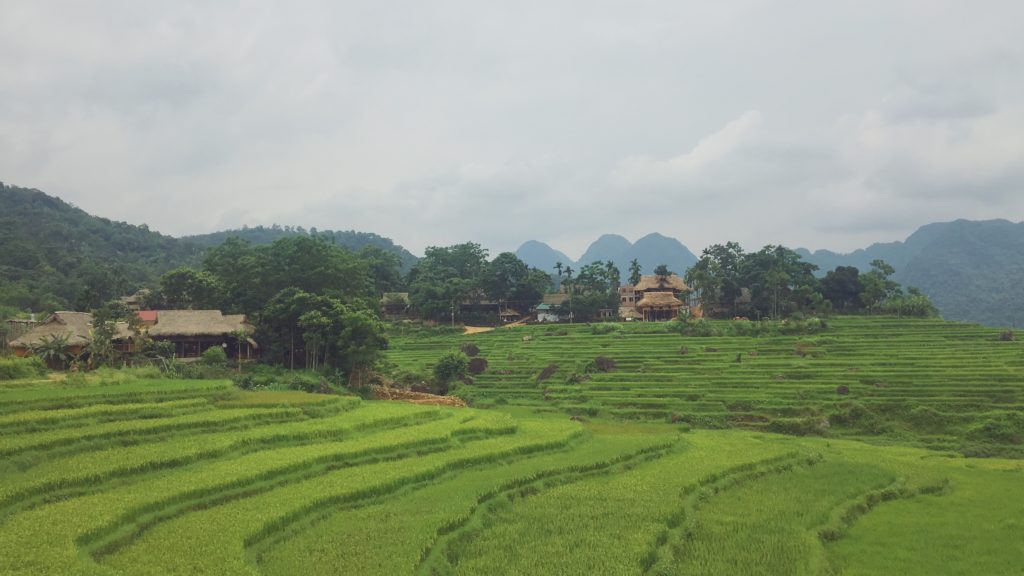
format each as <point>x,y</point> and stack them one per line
<point>807,124</point>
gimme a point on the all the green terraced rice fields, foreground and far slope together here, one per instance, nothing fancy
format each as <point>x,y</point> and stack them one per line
<point>113,476</point>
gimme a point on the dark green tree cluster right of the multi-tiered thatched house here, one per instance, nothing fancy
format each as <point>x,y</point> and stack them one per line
<point>776,282</point>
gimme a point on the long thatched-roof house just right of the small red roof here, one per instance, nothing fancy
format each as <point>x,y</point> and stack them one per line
<point>195,332</point>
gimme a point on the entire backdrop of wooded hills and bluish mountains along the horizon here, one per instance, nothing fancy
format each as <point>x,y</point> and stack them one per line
<point>54,256</point>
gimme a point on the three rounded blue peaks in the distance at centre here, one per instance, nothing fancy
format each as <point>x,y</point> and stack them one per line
<point>651,252</point>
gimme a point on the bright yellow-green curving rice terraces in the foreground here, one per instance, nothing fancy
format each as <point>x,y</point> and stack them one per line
<point>111,475</point>
